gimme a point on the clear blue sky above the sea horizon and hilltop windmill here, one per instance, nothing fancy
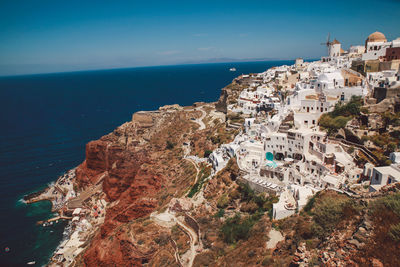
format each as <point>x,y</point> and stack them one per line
<point>56,36</point>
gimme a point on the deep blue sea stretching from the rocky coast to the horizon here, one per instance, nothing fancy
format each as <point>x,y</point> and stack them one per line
<point>46,120</point>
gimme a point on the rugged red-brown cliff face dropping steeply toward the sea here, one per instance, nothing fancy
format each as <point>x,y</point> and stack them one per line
<point>139,173</point>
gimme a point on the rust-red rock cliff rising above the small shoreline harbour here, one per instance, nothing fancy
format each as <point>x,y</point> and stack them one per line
<point>127,162</point>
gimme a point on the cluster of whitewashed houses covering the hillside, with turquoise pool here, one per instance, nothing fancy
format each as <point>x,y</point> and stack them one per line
<point>281,147</point>
